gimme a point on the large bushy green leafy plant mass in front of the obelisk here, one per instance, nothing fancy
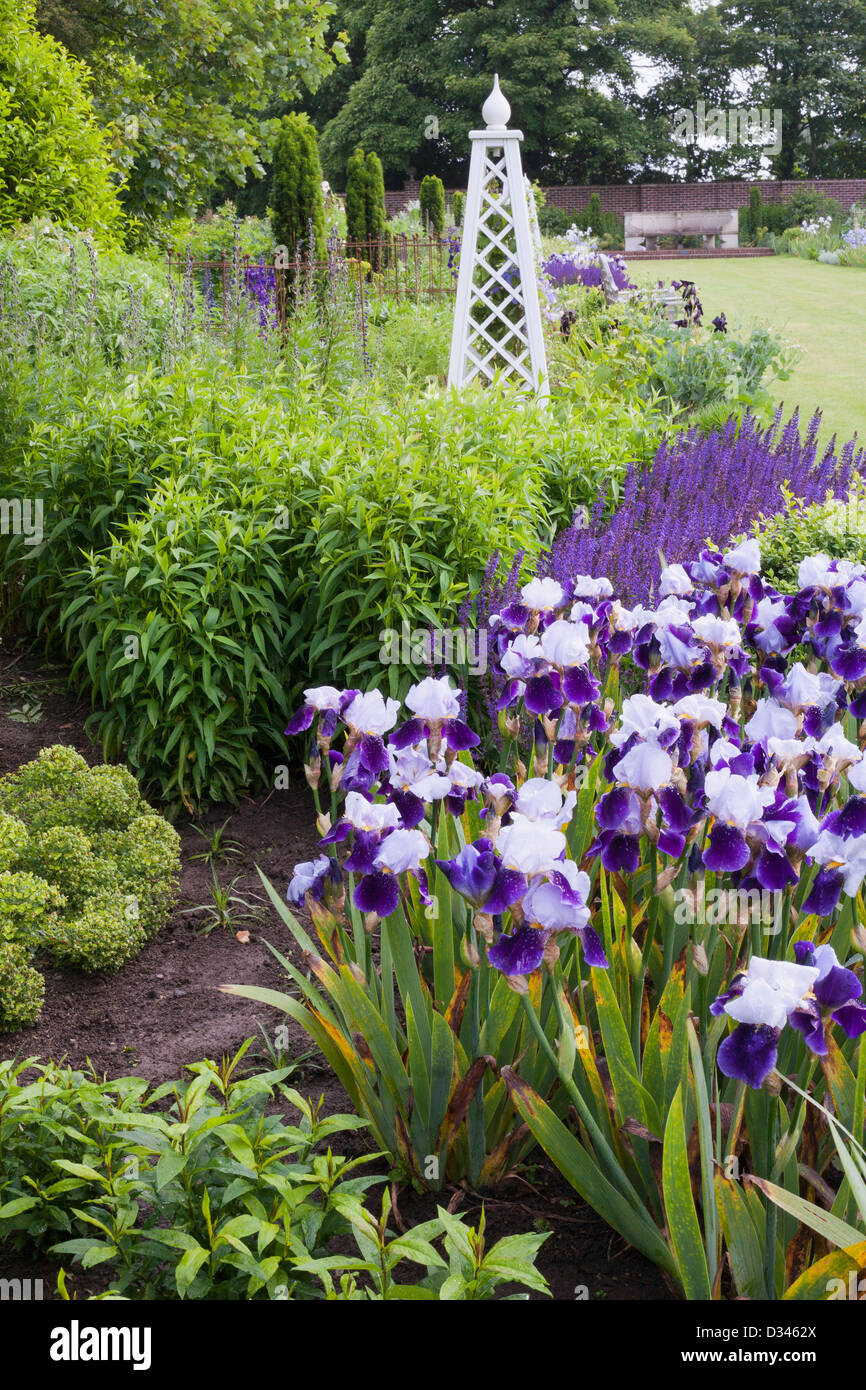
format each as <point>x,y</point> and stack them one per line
<point>295,525</point>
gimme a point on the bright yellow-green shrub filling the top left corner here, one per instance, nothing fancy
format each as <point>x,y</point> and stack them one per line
<point>54,158</point>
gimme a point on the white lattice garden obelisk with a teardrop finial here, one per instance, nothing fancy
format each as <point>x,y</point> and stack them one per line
<point>497,315</point>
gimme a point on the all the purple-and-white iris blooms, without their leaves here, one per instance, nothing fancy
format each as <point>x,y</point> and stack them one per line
<point>735,754</point>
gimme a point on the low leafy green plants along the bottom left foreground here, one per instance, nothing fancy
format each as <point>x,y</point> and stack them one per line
<point>213,1196</point>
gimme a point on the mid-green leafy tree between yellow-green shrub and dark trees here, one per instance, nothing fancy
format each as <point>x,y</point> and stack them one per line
<point>186,85</point>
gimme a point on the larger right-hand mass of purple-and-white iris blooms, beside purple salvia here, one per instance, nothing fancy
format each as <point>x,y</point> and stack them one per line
<point>735,760</point>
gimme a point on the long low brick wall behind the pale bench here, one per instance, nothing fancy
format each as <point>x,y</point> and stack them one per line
<point>671,198</point>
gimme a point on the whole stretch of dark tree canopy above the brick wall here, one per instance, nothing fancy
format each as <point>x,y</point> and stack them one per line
<point>597,91</point>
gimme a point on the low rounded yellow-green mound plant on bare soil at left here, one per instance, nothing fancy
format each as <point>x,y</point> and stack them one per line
<point>90,872</point>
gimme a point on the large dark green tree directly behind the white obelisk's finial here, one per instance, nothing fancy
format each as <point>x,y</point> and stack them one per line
<point>427,69</point>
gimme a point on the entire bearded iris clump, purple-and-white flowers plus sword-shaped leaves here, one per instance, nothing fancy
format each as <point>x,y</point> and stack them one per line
<point>637,942</point>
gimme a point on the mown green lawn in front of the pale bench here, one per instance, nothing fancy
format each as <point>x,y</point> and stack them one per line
<point>819,308</point>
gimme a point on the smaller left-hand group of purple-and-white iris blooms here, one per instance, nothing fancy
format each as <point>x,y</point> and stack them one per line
<point>391,785</point>
